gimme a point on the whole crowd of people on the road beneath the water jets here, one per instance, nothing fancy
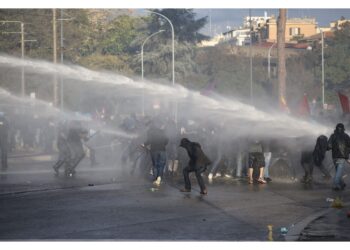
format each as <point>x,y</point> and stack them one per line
<point>164,138</point>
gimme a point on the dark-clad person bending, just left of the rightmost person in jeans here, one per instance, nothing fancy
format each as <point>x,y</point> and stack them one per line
<point>315,157</point>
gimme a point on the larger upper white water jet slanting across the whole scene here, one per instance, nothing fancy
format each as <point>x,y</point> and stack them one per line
<point>237,118</point>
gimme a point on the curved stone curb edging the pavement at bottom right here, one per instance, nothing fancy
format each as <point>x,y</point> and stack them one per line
<point>294,232</point>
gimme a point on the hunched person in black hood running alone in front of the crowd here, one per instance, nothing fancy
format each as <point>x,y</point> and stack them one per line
<point>198,163</point>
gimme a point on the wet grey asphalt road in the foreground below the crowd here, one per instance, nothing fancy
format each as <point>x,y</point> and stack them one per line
<point>105,203</point>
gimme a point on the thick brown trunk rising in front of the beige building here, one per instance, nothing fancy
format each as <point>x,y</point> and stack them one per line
<point>281,27</point>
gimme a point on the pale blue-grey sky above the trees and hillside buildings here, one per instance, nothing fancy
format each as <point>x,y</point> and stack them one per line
<point>221,18</point>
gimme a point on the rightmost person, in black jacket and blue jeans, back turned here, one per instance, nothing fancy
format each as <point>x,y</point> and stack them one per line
<point>339,143</point>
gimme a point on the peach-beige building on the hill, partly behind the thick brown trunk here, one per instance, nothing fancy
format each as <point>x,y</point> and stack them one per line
<point>296,28</point>
